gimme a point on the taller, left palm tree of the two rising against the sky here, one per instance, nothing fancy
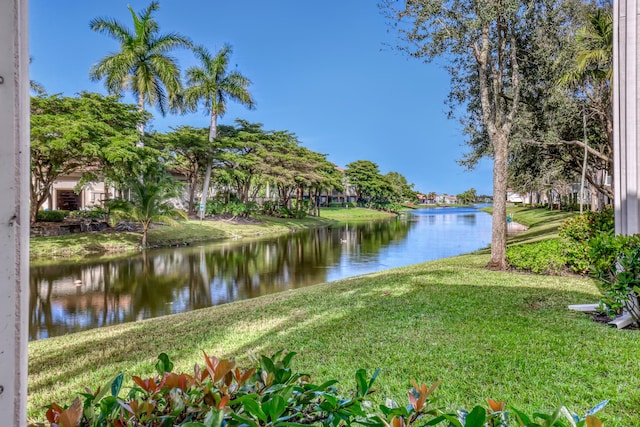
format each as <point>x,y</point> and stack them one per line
<point>142,65</point>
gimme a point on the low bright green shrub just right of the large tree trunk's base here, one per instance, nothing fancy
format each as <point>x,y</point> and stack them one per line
<point>544,257</point>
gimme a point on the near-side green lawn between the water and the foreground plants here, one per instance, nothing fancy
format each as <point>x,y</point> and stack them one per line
<point>484,333</point>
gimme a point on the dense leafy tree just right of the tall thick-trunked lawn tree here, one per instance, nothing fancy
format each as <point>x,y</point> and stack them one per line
<point>545,145</point>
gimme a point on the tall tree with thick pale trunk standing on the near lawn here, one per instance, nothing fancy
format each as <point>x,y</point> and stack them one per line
<point>481,41</point>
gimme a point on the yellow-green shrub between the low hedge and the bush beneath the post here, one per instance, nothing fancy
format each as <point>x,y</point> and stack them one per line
<point>577,231</point>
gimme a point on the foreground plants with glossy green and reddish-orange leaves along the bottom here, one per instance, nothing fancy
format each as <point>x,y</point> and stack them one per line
<point>270,394</point>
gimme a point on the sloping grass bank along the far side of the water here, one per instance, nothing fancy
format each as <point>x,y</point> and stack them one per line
<point>72,246</point>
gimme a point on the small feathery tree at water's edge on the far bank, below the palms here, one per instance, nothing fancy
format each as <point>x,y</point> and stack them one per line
<point>150,194</point>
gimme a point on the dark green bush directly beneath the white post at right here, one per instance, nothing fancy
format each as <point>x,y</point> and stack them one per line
<point>616,265</point>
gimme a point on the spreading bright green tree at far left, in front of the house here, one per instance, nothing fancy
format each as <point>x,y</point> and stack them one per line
<point>89,134</point>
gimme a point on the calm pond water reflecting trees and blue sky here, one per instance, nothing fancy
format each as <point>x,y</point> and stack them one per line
<point>68,298</point>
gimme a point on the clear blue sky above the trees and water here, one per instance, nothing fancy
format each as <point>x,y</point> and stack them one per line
<point>321,69</point>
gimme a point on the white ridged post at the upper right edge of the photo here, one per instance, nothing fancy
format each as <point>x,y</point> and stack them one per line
<point>626,108</point>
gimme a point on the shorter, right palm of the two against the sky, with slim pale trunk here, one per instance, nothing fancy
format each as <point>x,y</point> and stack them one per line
<point>212,84</point>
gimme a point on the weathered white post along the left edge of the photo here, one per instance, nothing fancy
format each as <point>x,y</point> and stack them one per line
<point>14,211</point>
